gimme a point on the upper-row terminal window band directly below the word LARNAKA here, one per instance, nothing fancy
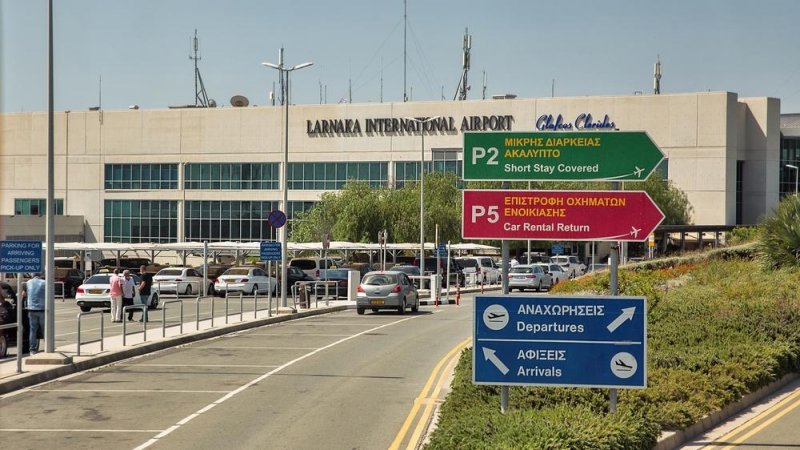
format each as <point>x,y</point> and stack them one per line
<point>332,176</point>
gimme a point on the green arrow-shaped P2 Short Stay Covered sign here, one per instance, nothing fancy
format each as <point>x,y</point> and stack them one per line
<point>555,156</point>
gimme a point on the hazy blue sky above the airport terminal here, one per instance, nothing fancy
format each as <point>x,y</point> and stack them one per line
<point>531,48</point>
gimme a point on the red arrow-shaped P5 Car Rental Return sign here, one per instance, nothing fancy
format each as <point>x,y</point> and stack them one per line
<point>559,215</point>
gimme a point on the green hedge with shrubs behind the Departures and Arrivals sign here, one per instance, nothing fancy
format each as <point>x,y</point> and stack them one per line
<point>718,328</point>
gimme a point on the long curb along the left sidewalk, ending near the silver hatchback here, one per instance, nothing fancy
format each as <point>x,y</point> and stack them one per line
<point>27,379</point>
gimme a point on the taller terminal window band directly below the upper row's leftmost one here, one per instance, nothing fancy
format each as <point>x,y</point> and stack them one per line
<point>141,221</point>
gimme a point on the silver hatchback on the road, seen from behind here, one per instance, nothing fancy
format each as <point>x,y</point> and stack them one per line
<point>387,290</point>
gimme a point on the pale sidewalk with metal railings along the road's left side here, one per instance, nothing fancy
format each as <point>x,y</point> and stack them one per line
<point>140,340</point>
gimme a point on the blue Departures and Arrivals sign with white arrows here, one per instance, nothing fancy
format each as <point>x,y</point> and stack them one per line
<point>598,342</point>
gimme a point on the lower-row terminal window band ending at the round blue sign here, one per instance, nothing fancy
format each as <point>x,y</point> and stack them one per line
<point>216,221</point>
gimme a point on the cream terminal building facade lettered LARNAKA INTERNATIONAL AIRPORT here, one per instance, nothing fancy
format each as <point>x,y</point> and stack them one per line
<point>195,174</point>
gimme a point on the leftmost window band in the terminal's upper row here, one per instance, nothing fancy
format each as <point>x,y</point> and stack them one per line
<point>141,176</point>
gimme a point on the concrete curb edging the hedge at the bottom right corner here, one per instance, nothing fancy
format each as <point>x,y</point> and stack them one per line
<point>674,439</point>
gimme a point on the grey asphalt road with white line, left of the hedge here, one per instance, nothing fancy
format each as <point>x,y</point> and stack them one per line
<point>333,381</point>
